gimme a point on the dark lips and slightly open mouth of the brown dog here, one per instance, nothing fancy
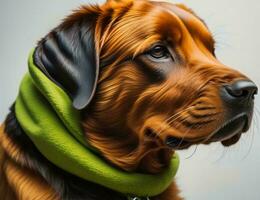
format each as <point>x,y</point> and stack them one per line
<point>228,134</point>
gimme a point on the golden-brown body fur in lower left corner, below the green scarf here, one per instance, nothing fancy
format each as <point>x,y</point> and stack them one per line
<point>18,181</point>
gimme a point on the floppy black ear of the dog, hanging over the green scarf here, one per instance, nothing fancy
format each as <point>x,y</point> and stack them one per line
<point>69,56</point>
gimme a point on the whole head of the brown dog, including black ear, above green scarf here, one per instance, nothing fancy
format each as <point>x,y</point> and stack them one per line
<point>146,79</point>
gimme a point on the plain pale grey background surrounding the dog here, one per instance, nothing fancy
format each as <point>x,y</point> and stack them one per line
<point>206,173</point>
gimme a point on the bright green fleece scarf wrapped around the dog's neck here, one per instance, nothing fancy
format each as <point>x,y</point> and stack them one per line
<point>46,115</point>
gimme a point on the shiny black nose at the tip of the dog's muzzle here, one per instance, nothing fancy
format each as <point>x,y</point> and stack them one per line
<point>242,91</point>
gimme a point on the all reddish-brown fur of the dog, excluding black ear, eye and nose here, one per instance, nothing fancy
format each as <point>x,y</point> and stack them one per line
<point>131,116</point>
